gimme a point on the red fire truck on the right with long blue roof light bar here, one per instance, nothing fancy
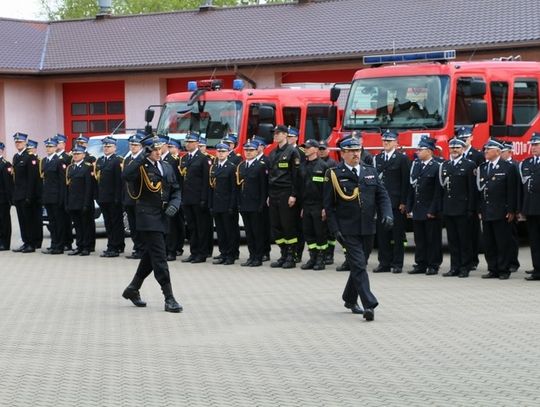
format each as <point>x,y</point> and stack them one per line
<point>426,93</point>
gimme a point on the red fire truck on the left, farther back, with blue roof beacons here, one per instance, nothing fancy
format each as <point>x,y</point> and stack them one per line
<point>215,112</point>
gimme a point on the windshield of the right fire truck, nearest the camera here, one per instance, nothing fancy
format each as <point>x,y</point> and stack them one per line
<point>404,102</point>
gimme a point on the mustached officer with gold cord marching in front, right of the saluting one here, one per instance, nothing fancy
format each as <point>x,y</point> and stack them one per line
<point>353,196</point>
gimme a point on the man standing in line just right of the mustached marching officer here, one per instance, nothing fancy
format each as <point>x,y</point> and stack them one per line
<point>393,169</point>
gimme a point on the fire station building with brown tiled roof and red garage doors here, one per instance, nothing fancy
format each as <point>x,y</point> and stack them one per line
<point>92,75</point>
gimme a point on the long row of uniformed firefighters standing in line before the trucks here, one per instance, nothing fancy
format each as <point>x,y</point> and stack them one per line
<point>293,197</point>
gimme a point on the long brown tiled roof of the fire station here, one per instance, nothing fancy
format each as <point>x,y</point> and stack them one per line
<point>277,33</point>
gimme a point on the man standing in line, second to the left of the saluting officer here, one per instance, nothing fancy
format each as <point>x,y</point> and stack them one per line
<point>109,196</point>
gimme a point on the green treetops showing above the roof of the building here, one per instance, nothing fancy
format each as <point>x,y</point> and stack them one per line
<point>71,9</point>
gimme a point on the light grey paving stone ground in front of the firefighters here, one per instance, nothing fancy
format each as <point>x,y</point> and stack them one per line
<point>262,337</point>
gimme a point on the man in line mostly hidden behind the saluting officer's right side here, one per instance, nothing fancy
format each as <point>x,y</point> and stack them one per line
<point>175,237</point>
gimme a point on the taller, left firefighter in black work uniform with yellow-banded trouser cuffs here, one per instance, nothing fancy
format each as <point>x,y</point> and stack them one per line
<point>283,164</point>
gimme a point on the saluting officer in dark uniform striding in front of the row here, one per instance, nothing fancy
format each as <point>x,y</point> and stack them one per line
<point>157,200</point>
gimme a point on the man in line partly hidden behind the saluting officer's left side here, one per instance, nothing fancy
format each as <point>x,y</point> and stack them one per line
<point>135,149</point>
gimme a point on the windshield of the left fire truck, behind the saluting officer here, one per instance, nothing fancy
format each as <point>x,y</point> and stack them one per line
<point>211,119</point>
